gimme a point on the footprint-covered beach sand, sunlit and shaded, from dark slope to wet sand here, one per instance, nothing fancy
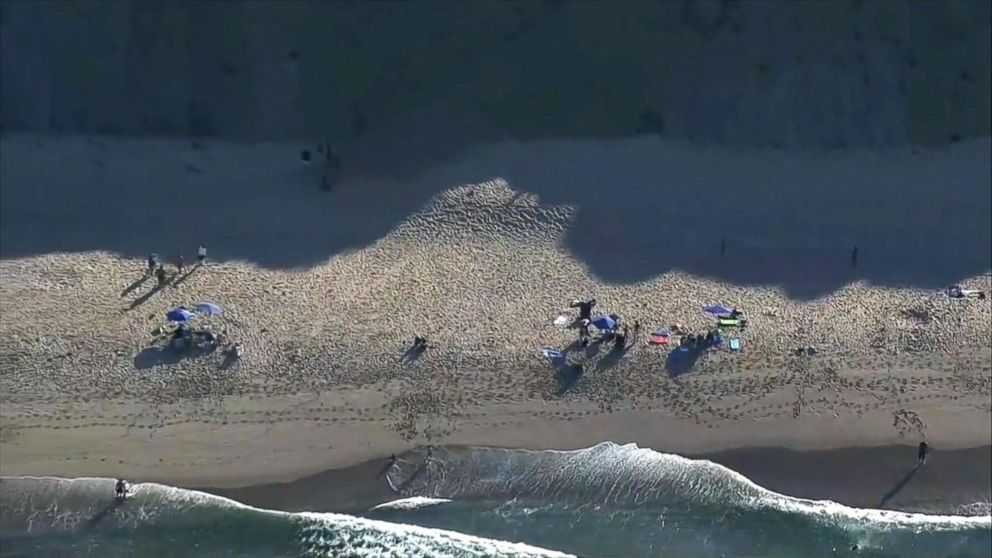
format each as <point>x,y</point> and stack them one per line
<point>480,255</point>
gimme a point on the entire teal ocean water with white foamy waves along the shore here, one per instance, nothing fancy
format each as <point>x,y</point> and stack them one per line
<point>608,500</point>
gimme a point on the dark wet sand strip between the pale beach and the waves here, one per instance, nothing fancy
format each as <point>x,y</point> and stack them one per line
<point>855,477</point>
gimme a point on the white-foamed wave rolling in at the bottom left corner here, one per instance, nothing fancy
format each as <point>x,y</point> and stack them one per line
<point>53,516</point>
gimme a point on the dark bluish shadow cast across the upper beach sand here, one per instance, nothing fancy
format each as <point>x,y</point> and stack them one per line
<point>629,236</point>
